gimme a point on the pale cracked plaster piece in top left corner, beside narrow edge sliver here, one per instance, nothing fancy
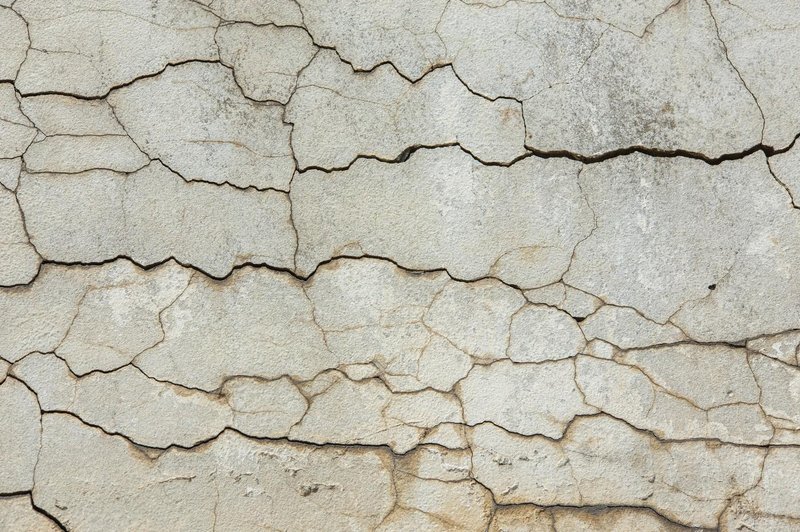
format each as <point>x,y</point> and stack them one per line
<point>87,48</point>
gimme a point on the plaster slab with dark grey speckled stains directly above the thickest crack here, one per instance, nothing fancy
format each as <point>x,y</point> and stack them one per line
<point>663,96</point>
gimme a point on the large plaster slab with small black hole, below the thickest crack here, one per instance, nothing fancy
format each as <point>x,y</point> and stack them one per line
<point>680,237</point>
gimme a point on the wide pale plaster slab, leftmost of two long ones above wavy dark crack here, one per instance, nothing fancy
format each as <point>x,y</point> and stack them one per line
<point>153,215</point>
